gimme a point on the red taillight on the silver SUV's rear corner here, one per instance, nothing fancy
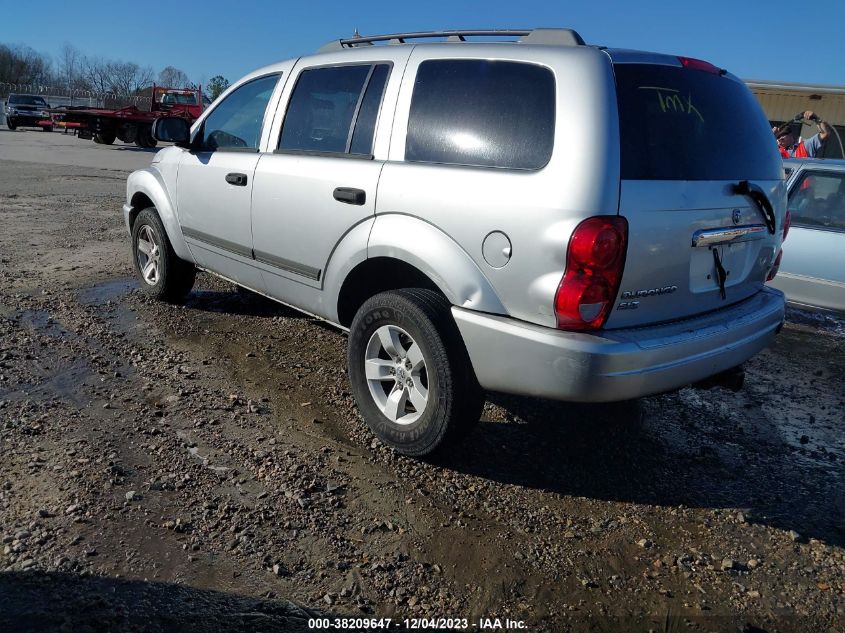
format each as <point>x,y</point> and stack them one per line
<point>594,263</point>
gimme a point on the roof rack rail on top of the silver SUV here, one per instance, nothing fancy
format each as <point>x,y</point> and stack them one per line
<point>554,37</point>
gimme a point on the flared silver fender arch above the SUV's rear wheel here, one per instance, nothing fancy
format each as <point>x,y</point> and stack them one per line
<point>438,256</point>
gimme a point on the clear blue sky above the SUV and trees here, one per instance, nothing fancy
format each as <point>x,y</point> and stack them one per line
<point>776,41</point>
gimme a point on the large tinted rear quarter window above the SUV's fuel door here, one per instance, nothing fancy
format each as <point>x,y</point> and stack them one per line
<point>482,113</point>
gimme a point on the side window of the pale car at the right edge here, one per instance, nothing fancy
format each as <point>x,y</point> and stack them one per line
<point>818,200</point>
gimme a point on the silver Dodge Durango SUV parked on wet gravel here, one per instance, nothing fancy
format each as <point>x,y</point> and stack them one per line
<point>534,216</point>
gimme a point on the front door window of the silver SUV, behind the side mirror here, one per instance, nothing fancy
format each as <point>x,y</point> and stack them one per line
<point>235,124</point>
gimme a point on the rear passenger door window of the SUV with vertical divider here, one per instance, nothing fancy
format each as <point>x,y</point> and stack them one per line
<point>334,110</point>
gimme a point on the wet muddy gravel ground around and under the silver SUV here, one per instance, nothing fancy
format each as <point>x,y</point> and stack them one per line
<point>203,467</point>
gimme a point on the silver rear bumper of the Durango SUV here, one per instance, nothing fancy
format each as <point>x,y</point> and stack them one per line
<point>517,357</point>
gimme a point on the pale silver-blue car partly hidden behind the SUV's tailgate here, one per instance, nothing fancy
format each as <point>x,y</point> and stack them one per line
<point>812,271</point>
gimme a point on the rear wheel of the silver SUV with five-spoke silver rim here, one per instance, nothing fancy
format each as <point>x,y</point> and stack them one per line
<point>440,400</point>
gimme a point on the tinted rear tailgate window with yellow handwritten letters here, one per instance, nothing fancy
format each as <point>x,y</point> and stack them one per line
<point>686,124</point>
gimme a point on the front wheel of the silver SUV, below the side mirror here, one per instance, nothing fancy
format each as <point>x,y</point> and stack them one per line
<point>162,274</point>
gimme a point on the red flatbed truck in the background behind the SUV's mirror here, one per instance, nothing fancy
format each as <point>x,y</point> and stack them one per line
<point>130,124</point>
